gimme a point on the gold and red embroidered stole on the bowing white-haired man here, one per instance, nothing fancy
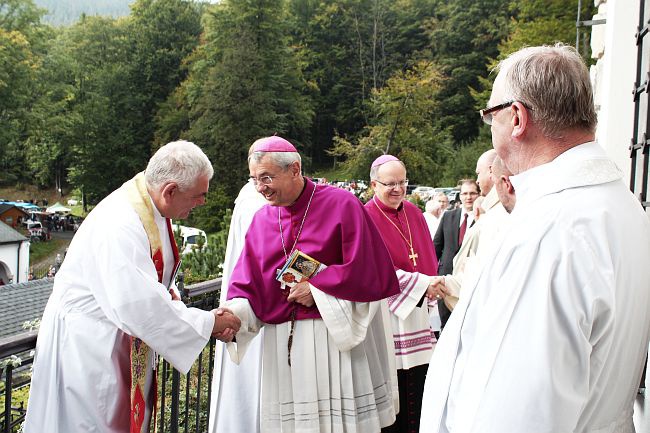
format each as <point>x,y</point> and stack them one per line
<point>138,197</point>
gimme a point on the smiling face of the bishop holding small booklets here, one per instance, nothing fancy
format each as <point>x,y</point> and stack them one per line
<point>285,186</point>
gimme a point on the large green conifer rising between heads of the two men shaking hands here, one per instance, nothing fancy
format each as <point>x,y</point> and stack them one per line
<point>244,83</point>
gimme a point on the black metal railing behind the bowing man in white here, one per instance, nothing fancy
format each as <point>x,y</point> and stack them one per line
<point>184,402</point>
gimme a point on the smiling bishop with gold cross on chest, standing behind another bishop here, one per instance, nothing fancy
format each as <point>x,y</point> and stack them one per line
<point>405,233</point>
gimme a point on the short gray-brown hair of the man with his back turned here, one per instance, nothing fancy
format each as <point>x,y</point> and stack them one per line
<point>554,83</point>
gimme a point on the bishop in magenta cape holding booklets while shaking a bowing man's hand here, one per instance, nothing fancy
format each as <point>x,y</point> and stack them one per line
<point>326,362</point>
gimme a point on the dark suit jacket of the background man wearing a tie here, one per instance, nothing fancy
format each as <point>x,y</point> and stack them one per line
<point>446,243</point>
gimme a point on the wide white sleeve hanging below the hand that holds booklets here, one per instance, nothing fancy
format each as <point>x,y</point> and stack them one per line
<point>346,321</point>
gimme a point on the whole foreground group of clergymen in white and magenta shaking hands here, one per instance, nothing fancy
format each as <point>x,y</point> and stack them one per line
<point>522,310</point>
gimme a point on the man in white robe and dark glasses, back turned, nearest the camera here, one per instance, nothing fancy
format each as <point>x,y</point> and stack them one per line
<point>551,333</point>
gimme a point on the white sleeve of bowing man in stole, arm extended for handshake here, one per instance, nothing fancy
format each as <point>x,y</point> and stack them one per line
<point>124,283</point>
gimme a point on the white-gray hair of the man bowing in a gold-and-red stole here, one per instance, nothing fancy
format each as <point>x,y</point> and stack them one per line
<point>181,162</point>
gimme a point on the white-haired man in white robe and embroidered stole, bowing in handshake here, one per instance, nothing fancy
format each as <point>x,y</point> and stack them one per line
<point>115,307</point>
